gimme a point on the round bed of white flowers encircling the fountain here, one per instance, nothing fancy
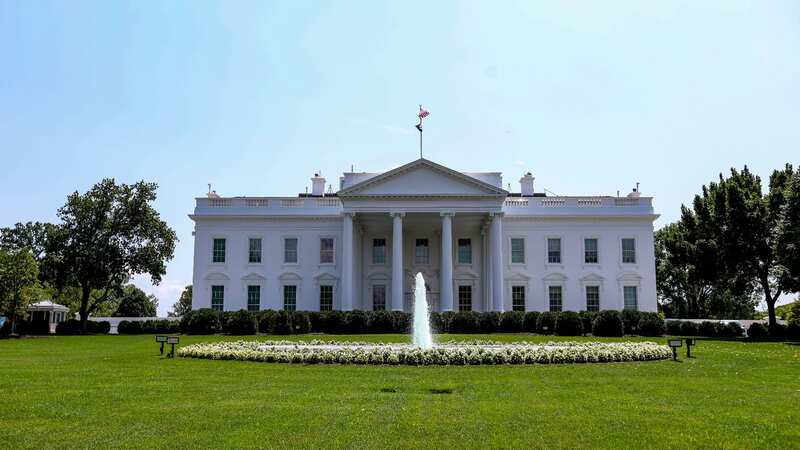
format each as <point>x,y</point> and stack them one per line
<point>448,353</point>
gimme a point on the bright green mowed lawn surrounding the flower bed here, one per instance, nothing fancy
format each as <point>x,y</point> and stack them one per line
<point>116,391</point>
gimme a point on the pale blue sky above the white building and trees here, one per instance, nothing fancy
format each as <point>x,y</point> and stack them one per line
<point>254,97</point>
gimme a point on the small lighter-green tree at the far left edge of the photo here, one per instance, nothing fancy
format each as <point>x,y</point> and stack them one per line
<point>19,274</point>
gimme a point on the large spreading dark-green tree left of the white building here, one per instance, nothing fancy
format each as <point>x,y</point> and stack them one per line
<point>109,234</point>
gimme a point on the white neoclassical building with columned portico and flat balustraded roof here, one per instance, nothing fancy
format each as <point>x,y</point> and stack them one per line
<point>478,246</point>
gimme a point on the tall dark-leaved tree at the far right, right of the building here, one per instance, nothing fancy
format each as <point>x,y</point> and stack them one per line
<point>742,235</point>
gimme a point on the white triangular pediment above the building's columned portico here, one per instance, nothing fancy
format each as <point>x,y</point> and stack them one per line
<point>423,178</point>
